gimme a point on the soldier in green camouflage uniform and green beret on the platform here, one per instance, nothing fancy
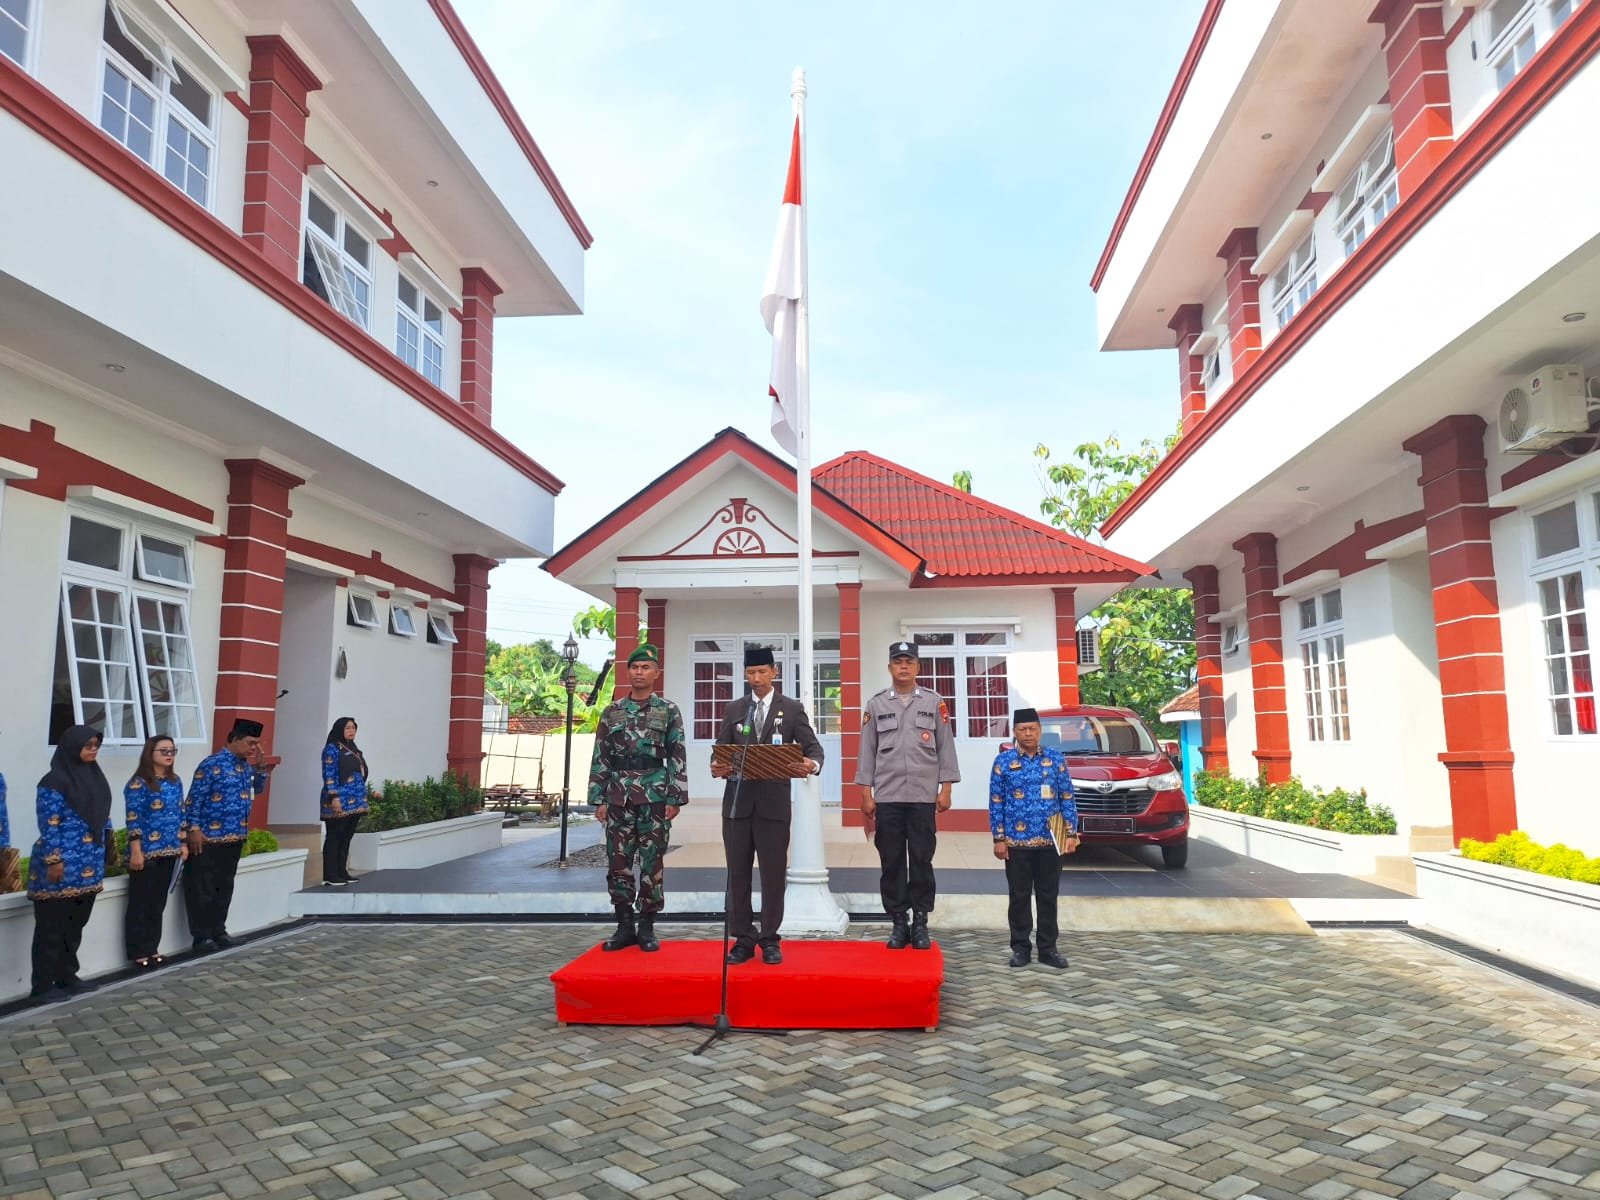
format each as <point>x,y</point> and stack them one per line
<point>638,783</point>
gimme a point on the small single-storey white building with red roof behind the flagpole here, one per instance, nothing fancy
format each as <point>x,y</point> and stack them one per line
<point>705,559</point>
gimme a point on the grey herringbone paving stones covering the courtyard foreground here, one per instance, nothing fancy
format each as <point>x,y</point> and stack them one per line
<point>417,1063</point>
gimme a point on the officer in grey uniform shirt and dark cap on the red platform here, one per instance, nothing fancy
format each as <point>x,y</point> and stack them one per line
<point>906,769</point>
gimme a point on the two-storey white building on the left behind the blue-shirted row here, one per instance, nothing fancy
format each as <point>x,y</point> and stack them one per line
<point>254,258</point>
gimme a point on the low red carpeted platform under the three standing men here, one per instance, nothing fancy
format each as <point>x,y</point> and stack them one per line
<point>818,986</point>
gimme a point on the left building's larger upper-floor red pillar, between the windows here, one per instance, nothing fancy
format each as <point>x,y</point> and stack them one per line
<point>276,156</point>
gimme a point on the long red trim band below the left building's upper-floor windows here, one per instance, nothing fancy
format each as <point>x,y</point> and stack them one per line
<point>70,132</point>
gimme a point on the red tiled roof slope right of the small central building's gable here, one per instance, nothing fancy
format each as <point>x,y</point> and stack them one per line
<point>959,535</point>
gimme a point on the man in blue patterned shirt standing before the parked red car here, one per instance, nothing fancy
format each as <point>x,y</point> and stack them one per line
<point>1026,790</point>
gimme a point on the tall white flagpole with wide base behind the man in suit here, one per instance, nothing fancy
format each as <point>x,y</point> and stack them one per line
<point>809,903</point>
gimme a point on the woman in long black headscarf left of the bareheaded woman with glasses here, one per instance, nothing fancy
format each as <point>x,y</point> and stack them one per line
<point>68,866</point>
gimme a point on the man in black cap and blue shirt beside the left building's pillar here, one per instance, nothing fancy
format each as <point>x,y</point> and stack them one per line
<point>218,810</point>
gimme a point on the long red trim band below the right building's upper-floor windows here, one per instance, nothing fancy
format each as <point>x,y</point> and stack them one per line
<point>1550,71</point>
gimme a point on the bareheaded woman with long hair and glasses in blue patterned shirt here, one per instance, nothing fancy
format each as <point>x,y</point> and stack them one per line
<point>158,828</point>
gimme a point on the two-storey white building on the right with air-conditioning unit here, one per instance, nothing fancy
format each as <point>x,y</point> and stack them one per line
<point>1366,225</point>
